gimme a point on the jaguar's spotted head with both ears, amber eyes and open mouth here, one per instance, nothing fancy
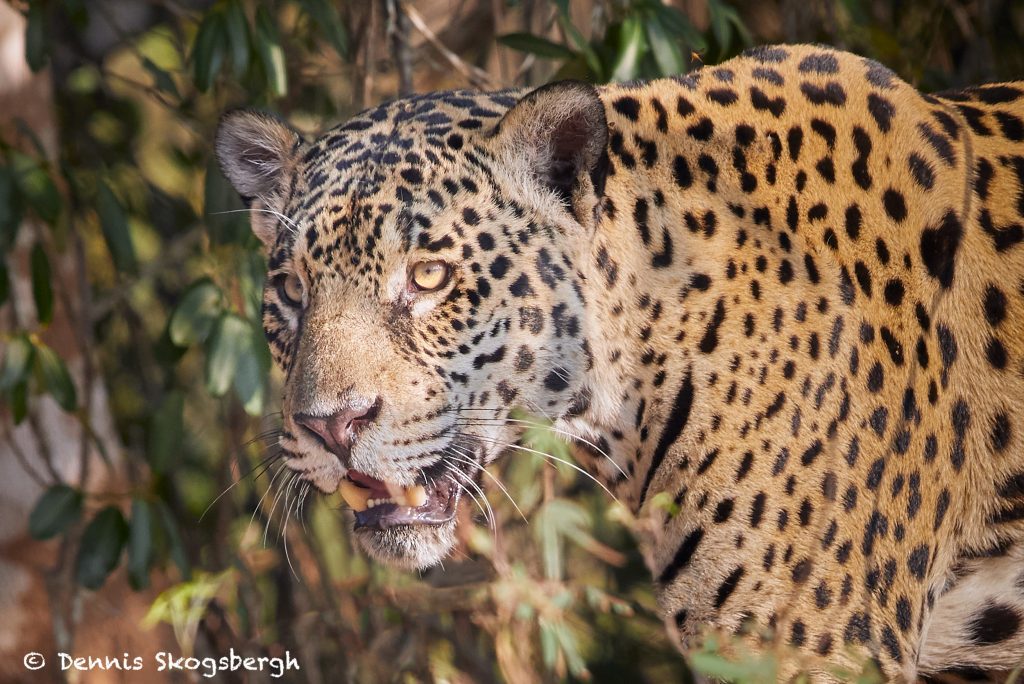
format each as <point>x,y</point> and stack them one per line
<point>422,283</point>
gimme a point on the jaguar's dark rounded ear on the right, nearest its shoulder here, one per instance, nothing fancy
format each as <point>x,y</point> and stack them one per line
<point>558,135</point>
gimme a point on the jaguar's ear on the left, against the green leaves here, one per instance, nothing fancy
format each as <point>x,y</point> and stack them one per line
<point>258,153</point>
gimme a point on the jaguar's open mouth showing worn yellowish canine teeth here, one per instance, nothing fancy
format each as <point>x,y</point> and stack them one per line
<point>381,505</point>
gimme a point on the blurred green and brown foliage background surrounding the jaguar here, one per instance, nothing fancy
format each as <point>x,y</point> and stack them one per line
<point>142,505</point>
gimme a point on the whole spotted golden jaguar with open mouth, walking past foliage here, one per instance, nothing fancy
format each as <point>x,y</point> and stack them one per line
<point>785,293</point>
